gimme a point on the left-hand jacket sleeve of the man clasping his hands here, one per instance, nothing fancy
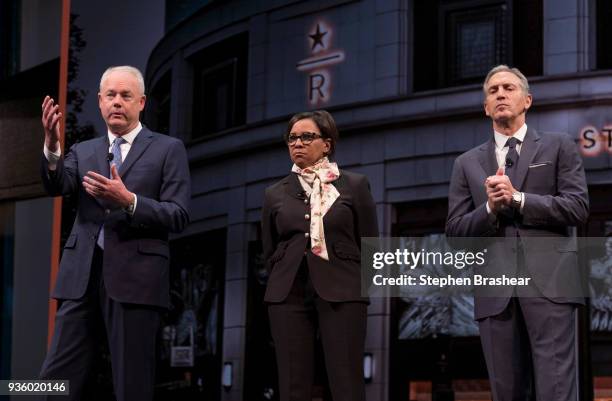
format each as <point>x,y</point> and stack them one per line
<point>464,218</point>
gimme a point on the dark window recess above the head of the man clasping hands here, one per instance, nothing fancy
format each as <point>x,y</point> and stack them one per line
<point>457,42</point>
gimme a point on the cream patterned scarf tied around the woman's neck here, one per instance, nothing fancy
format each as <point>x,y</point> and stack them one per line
<point>316,181</point>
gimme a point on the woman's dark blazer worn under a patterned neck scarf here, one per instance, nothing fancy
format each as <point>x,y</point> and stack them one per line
<point>285,223</point>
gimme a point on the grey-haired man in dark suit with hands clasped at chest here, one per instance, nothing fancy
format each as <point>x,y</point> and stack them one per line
<point>524,185</point>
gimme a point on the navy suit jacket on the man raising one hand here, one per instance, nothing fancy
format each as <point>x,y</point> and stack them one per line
<point>136,252</point>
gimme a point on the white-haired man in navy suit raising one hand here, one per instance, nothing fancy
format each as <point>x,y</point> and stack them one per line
<point>133,188</point>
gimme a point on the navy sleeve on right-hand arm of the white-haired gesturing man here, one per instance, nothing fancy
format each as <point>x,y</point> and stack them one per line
<point>171,211</point>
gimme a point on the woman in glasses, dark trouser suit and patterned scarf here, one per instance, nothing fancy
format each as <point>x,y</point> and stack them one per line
<point>312,224</point>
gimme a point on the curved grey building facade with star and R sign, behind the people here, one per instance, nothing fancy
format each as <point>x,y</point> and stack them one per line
<point>403,79</point>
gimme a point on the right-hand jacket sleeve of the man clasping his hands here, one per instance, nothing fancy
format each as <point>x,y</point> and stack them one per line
<point>570,205</point>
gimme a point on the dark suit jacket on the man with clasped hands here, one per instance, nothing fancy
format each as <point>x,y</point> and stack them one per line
<point>551,174</point>
